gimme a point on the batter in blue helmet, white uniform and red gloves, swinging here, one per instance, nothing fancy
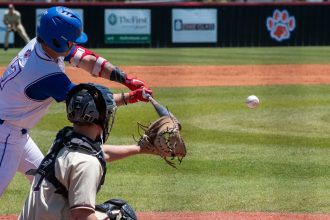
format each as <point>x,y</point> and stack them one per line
<point>35,78</point>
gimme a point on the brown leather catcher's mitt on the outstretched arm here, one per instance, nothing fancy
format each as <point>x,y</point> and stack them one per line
<point>163,138</point>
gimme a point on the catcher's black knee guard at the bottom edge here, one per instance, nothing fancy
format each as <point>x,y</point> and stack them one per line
<point>117,209</point>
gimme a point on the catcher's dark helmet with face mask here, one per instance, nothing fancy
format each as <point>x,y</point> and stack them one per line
<point>91,104</point>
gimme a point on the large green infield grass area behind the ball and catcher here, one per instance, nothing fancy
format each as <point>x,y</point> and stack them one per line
<point>272,158</point>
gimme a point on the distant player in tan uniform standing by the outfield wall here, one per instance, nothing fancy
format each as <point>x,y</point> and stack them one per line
<point>12,19</point>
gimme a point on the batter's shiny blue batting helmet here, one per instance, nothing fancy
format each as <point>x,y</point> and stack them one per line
<point>59,26</point>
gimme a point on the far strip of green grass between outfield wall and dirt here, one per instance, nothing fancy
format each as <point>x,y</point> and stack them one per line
<point>206,56</point>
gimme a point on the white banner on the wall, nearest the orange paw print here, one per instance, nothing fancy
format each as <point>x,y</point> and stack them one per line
<point>194,25</point>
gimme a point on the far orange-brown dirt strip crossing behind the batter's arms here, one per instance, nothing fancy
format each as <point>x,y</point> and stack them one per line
<point>186,76</point>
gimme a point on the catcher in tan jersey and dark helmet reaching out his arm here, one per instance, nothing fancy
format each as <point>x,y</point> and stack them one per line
<point>70,175</point>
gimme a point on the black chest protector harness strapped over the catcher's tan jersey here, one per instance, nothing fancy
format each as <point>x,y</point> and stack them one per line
<point>66,137</point>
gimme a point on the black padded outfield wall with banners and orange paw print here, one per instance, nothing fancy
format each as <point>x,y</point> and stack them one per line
<point>191,24</point>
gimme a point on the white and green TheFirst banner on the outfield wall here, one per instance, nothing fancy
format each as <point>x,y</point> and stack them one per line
<point>127,26</point>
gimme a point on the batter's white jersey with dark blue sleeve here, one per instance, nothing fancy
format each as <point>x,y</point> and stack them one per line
<point>29,85</point>
